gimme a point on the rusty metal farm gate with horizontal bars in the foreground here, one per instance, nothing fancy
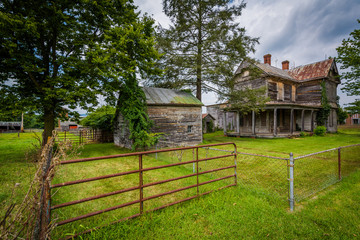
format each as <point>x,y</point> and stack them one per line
<point>194,173</point>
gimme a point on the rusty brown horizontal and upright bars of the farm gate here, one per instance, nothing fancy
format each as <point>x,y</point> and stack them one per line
<point>141,185</point>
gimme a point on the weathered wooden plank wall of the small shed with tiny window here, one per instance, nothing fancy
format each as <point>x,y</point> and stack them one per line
<point>174,122</point>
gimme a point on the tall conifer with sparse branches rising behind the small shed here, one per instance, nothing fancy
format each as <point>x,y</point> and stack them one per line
<point>202,45</point>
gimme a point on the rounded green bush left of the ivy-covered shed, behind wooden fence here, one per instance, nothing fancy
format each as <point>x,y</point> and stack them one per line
<point>102,118</point>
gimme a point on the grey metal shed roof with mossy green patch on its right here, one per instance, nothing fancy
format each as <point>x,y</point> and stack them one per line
<point>164,96</point>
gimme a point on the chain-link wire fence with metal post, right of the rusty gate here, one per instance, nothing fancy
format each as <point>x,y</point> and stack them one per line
<point>295,179</point>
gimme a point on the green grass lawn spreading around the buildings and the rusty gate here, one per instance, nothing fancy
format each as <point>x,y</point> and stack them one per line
<point>251,210</point>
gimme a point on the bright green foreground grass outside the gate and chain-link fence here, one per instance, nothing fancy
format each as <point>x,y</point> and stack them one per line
<point>243,213</point>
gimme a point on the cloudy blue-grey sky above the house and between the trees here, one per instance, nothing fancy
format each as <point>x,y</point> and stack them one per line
<point>301,31</point>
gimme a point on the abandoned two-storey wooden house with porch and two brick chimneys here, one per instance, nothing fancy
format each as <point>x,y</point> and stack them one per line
<point>295,98</point>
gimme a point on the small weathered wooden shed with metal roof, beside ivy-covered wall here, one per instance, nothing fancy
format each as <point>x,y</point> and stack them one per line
<point>177,115</point>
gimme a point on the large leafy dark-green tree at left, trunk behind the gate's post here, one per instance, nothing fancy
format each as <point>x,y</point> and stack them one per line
<point>58,54</point>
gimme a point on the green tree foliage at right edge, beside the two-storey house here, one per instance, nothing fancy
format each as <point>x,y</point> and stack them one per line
<point>349,57</point>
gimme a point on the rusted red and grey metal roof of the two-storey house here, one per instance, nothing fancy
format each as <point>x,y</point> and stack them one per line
<point>311,71</point>
